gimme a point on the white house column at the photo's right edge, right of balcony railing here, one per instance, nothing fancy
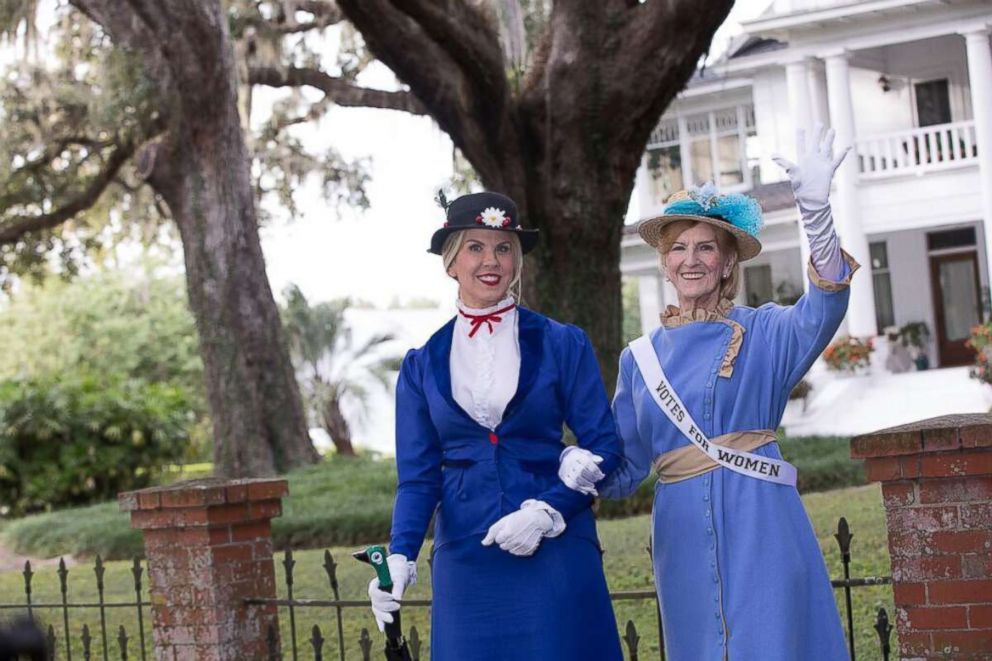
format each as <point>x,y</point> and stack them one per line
<point>980,80</point>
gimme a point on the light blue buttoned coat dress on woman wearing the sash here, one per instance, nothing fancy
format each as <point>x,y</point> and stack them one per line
<point>737,567</point>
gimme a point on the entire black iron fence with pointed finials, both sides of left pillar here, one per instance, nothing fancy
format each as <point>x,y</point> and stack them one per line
<point>128,641</point>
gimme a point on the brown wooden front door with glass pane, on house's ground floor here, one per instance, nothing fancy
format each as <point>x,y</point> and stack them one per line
<point>956,303</point>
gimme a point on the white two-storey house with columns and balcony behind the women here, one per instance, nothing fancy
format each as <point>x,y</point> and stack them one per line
<point>909,84</point>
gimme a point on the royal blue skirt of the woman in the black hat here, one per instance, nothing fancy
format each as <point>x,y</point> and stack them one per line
<point>490,605</point>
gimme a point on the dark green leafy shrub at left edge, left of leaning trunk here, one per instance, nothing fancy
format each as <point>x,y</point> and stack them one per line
<point>72,440</point>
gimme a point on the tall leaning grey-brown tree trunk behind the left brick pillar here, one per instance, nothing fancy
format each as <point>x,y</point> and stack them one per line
<point>201,169</point>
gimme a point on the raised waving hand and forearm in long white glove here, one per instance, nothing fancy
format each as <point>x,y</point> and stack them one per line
<point>811,175</point>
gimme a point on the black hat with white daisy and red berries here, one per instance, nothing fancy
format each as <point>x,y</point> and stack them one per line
<point>487,211</point>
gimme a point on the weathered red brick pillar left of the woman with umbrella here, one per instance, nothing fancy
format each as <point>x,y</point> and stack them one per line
<point>209,546</point>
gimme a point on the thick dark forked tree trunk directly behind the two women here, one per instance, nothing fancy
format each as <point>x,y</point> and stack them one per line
<point>566,144</point>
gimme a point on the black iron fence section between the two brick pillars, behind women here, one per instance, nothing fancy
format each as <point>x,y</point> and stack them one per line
<point>318,646</point>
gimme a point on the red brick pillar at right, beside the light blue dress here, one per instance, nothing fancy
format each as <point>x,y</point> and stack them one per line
<point>936,480</point>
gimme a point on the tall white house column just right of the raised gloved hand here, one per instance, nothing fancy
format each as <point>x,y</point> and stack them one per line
<point>844,200</point>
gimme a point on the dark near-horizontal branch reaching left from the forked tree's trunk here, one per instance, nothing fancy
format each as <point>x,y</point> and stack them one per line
<point>337,90</point>
